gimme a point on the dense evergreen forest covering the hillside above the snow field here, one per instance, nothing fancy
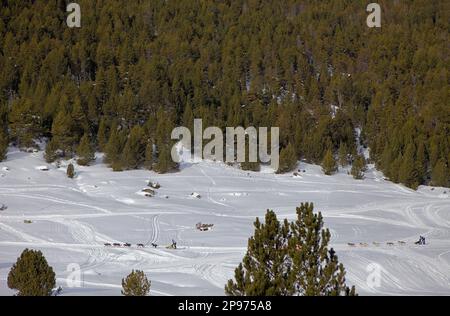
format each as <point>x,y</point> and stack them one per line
<point>135,69</point>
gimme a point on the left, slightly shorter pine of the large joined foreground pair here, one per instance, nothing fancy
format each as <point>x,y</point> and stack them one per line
<point>266,267</point>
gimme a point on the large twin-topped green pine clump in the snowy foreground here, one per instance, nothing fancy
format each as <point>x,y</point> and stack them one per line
<point>290,259</point>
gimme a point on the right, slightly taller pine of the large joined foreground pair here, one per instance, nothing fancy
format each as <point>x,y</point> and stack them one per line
<point>316,270</point>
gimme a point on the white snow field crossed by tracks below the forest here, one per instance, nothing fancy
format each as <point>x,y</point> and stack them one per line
<point>71,220</point>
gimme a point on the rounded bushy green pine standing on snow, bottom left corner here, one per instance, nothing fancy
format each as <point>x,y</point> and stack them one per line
<point>31,275</point>
